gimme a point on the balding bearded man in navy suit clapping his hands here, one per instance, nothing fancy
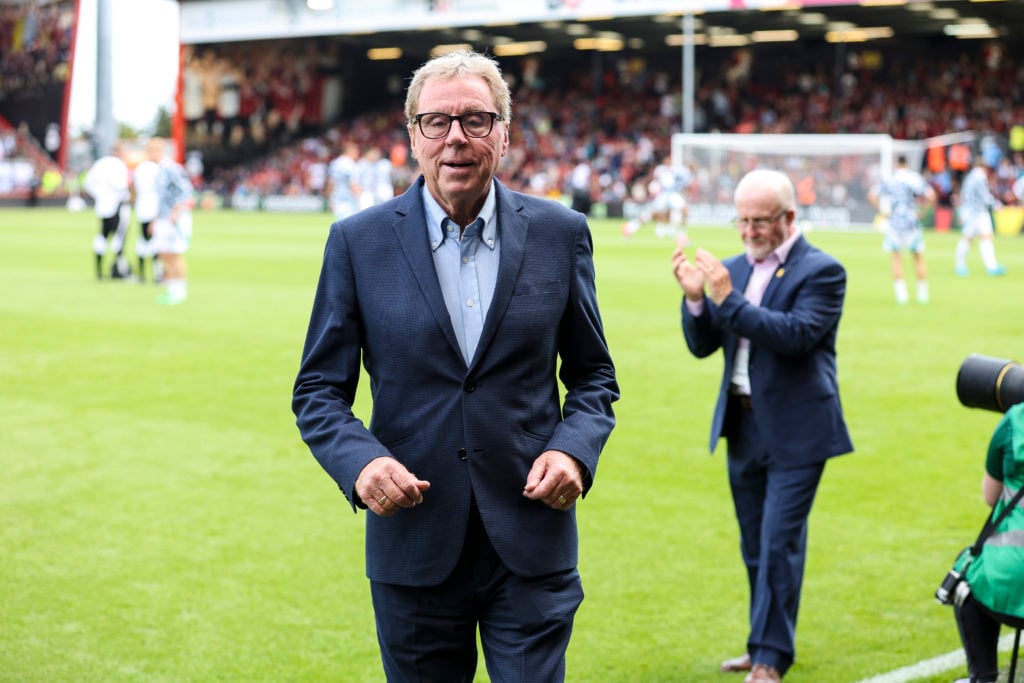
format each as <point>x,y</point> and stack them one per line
<point>779,404</point>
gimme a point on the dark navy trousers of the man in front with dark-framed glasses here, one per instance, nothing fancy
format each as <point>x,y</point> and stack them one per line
<point>429,635</point>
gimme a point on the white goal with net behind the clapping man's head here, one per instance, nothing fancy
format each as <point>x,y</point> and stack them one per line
<point>832,174</point>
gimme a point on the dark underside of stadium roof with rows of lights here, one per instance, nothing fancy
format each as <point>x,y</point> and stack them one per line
<point>880,20</point>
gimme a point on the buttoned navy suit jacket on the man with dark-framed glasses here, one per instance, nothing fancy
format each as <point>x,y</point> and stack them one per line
<point>473,432</point>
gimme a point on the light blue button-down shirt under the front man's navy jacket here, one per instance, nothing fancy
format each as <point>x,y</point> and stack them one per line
<point>467,268</point>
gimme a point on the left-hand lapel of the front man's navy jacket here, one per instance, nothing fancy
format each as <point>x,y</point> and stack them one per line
<point>411,234</point>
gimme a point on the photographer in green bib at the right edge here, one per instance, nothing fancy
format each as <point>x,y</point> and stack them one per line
<point>996,576</point>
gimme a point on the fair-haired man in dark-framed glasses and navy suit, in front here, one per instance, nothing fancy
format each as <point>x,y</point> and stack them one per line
<point>466,304</point>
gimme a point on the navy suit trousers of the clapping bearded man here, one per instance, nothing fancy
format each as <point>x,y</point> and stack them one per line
<point>773,505</point>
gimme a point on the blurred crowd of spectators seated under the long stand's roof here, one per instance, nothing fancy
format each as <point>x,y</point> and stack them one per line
<point>620,123</point>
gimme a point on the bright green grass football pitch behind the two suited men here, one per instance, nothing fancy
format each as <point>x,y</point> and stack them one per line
<point>162,522</point>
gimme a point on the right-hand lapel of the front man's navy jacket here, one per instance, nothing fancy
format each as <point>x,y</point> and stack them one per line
<point>513,229</point>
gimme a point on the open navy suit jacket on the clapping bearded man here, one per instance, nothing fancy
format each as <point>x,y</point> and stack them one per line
<point>794,383</point>
